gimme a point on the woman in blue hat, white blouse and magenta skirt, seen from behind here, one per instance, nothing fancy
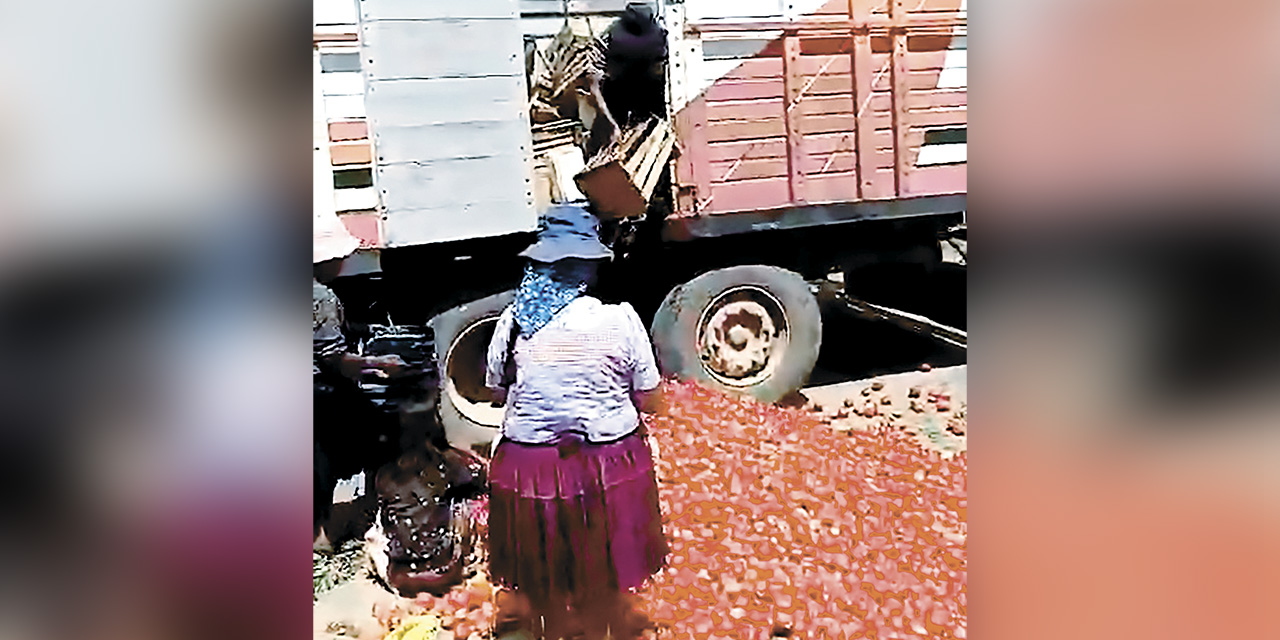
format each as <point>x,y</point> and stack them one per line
<point>574,518</point>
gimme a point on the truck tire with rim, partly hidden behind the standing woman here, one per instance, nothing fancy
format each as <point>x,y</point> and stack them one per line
<point>463,335</point>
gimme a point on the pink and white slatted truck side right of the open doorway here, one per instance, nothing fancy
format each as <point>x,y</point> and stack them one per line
<point>860,102</point>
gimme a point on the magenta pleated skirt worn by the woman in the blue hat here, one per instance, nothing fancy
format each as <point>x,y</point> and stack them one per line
<point>574,519</point>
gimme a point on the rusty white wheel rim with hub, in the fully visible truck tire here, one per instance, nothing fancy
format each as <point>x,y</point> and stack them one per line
<point>743,336</point>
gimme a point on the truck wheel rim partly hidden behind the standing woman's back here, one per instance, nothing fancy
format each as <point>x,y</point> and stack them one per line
<point>464,374</point>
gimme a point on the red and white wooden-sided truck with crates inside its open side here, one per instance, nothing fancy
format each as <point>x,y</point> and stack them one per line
<point>812,138</point>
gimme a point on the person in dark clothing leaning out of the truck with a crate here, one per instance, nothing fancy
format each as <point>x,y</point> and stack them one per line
<point>628,77</point>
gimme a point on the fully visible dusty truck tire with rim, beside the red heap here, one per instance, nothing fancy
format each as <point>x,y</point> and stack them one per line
<point>746,330</point>
